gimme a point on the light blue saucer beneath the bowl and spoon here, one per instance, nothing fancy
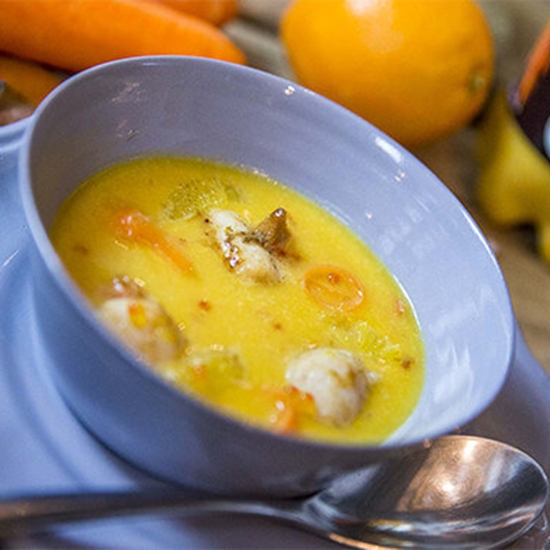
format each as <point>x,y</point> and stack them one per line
<point>43,447</point>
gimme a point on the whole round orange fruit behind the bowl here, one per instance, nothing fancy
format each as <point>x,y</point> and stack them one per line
<point>417,69</point>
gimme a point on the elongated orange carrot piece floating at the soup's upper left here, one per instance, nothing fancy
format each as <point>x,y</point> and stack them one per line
<point>135,226</point>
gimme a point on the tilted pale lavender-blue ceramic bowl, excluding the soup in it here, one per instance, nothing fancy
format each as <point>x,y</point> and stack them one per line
<point>402,211</point>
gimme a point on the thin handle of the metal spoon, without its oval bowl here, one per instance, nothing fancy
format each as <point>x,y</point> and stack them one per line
<point>34,512</point>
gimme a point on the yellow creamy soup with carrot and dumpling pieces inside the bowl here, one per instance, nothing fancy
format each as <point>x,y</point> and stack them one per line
<point>247,295</point>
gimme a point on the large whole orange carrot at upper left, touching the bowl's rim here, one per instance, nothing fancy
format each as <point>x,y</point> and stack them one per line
<point>76,34</point>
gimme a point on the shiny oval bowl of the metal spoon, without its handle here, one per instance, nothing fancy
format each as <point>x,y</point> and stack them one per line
<point>458,491</point>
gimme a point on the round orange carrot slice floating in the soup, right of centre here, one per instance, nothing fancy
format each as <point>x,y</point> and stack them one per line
<point>334,287</point>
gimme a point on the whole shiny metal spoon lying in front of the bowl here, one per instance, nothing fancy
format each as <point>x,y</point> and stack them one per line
<point>457,491</point>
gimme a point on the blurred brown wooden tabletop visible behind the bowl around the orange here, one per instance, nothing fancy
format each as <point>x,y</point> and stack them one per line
<point>516,24</point>
